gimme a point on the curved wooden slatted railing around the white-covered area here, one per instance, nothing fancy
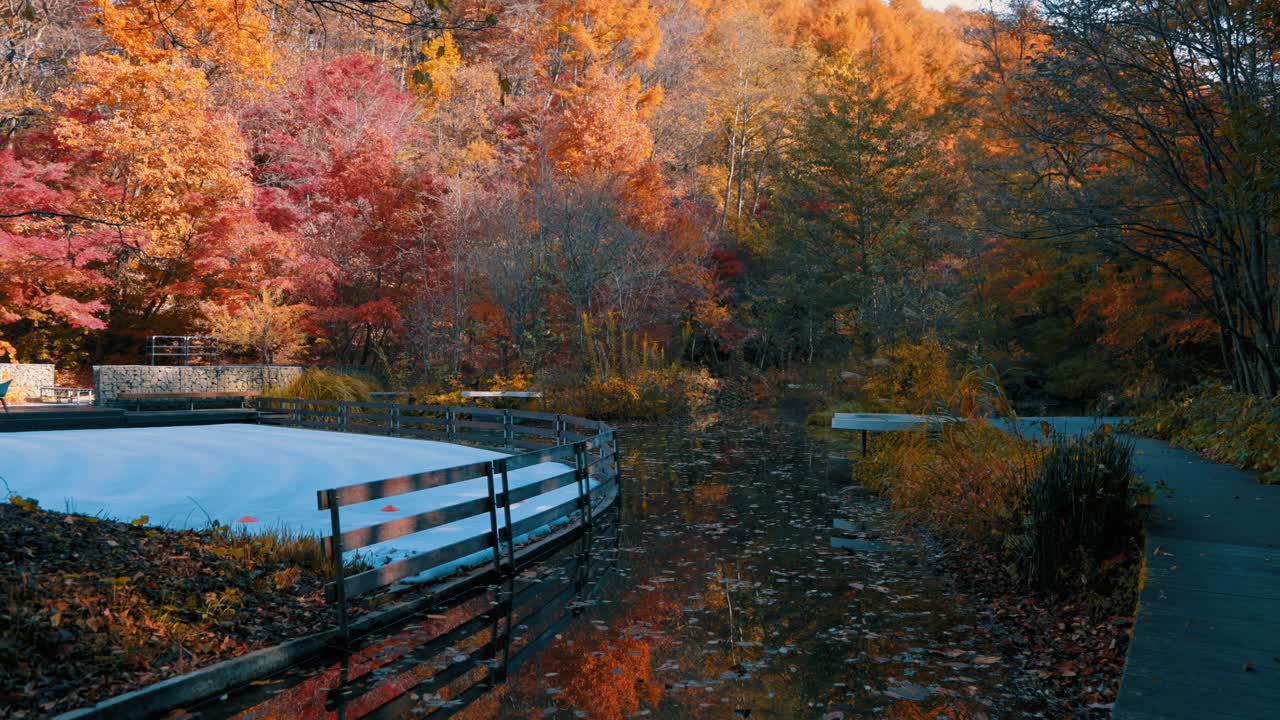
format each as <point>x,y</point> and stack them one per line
<point>589,457</point>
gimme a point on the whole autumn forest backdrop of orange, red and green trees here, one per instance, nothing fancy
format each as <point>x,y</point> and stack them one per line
<point>441,194</point>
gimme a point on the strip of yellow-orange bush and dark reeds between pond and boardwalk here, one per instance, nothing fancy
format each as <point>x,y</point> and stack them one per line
<point>1048,536</point>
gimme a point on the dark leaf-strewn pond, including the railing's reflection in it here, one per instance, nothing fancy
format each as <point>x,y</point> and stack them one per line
<point>737,580</point>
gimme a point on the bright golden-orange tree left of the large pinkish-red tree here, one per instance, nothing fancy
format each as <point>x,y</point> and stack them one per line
<point>167,168</point>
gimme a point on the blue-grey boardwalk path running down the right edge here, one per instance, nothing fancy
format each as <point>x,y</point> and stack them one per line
<point>1208,639</point>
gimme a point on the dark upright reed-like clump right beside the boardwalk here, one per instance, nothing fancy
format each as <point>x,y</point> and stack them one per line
<point>1080,513</point>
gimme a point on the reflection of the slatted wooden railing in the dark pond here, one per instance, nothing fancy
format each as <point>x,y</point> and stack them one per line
<point>441,663</point>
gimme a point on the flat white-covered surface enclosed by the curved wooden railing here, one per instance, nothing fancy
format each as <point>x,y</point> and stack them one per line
<point>254,477</point>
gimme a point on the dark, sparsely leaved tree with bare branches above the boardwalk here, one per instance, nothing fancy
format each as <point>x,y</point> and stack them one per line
<point>1155,133</point>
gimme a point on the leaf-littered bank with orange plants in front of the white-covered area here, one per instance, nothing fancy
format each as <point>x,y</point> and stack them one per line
<point>94,608</point>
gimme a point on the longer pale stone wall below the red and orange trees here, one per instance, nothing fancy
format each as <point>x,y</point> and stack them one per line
<point>111,381</point>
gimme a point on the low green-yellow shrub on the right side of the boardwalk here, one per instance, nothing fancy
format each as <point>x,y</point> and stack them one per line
<point>1229,427</point>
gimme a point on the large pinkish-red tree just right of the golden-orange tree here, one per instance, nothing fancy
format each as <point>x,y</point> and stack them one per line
<point>341,163</point>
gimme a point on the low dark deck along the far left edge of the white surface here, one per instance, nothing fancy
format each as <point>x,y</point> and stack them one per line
<point>85,418</point>
